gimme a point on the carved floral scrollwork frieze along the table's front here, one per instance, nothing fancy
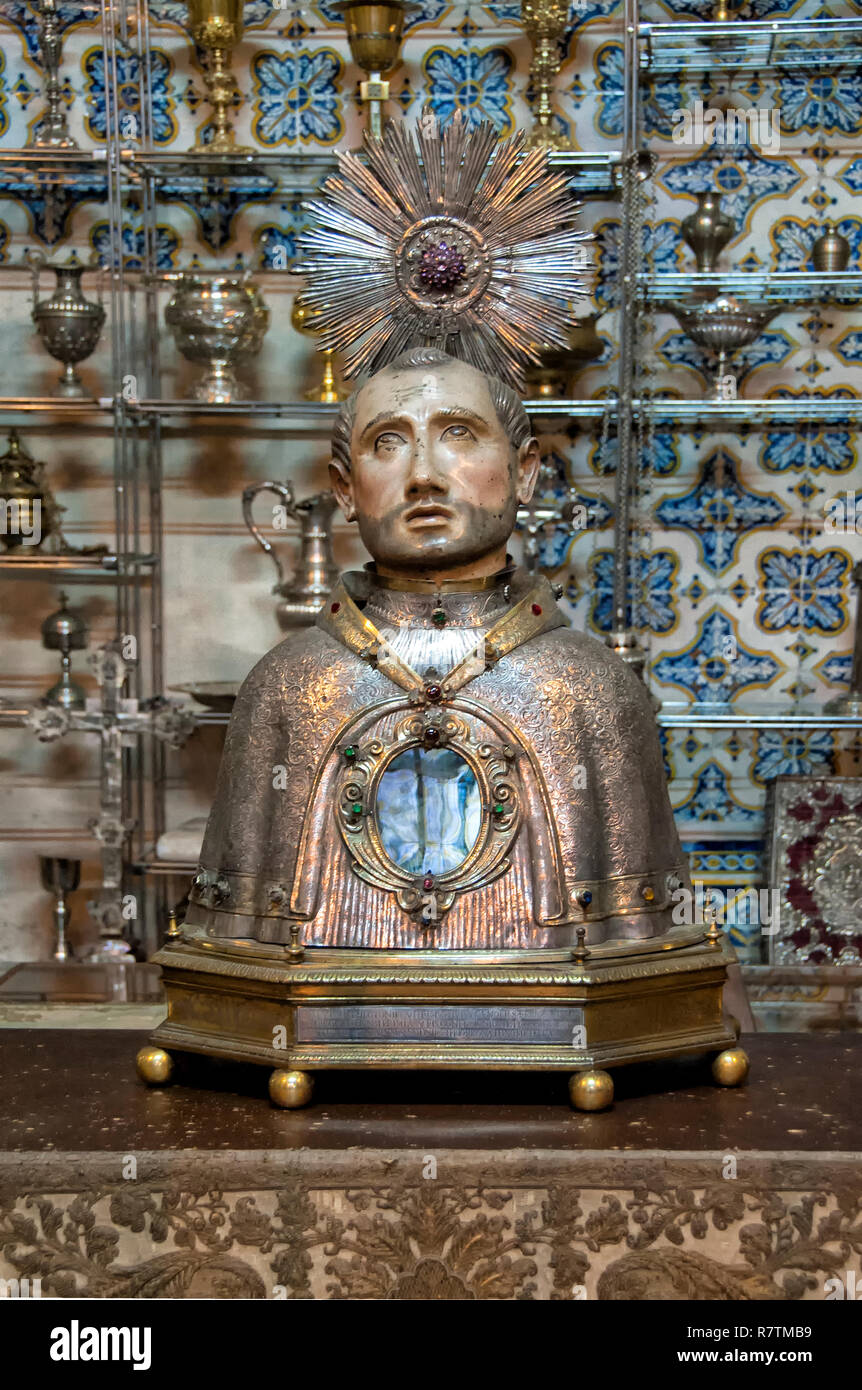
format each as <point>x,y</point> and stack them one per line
<point>676,1231</point>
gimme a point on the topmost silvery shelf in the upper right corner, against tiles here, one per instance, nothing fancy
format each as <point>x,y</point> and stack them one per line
<point>818,45</point>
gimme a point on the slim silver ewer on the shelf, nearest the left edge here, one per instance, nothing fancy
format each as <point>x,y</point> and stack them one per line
<point>69,325</point>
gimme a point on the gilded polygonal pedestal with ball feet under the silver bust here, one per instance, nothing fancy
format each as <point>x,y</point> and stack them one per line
<point>447,1011</point>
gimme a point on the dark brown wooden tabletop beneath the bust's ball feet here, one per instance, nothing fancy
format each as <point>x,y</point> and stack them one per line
<point>73,1090</point>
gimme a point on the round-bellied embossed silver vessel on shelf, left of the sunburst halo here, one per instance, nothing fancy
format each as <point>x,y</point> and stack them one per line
<point>219,322</point>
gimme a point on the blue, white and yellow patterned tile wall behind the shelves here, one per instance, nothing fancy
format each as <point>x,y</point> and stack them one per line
<point>740,591</point>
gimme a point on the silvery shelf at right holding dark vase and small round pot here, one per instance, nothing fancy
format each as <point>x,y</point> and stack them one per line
<point>797,287</point>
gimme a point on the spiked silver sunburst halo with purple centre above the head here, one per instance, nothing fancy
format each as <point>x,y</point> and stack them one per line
<point>458,241</point>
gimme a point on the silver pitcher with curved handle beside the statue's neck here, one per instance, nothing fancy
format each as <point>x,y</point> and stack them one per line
<point>316,572</point>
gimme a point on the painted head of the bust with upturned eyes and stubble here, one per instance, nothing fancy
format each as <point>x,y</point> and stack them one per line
<point>433,458</point>
